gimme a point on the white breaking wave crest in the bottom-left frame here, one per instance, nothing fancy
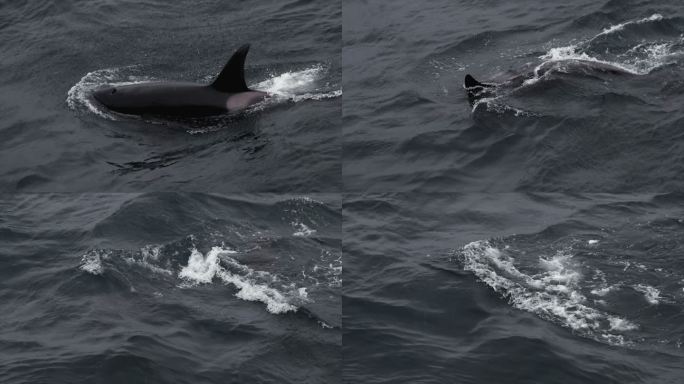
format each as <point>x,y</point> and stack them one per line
<point>188,267</point>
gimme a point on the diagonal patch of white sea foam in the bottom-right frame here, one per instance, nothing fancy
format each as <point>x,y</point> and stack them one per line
<point>553,293</point>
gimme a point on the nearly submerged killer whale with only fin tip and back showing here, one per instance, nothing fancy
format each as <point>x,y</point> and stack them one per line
<point>477,90</point>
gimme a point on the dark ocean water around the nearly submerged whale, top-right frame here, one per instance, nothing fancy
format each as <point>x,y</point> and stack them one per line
<point>408,125</point>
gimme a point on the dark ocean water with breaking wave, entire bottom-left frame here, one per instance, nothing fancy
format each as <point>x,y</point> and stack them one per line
<point>172,288</point>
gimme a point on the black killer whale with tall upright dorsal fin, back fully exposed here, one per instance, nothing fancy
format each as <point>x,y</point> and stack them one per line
<point>227,93</point>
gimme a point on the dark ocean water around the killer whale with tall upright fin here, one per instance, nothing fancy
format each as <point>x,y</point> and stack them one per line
<point>56,52</point>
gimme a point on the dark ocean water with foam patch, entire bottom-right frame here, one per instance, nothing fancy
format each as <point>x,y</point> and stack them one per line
<point>513,288</point>
